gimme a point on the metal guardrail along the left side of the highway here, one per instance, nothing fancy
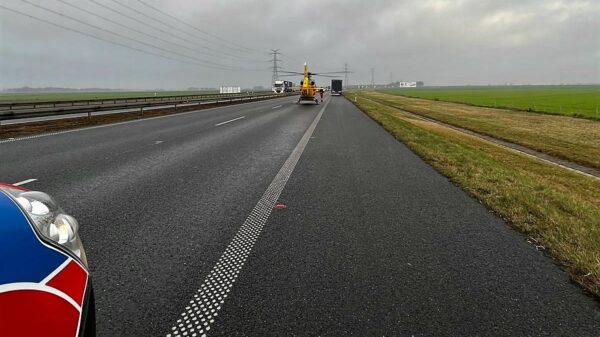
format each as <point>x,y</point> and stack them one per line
<point>27,109</point>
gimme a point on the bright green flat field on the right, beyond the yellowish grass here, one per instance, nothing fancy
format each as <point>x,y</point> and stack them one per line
<point>573,100</point>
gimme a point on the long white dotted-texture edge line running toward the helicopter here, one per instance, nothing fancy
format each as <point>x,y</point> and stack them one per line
<point>204,307</point>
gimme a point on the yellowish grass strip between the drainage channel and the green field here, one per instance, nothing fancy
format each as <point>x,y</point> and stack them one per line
<point>573,139</point>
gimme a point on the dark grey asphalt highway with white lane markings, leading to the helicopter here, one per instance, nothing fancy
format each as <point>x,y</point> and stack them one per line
<point>179,219</point>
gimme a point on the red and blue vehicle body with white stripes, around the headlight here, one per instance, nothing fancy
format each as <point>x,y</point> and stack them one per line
<point>45,290</point>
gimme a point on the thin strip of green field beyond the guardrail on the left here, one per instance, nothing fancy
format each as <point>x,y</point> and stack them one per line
<point>93,95</point>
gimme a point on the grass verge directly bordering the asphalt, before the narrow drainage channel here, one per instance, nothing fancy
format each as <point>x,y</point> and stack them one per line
<point>553,207</point>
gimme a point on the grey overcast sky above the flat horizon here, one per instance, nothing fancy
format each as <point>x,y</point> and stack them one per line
<point>436,41</point>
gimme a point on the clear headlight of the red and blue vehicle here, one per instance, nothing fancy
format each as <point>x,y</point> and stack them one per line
<point>50,221</point>
